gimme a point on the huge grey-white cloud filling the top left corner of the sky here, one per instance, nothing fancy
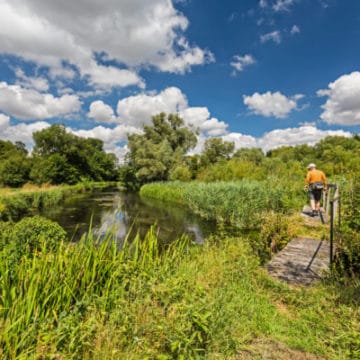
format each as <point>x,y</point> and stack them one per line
<point>134,33</point>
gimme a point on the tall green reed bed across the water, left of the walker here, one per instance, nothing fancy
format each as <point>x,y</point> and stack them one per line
<point>240,203</point>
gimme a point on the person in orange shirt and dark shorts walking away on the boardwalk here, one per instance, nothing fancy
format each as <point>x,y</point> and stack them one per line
<point>315,183</point>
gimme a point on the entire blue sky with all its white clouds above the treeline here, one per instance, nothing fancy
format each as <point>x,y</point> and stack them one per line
<point>261,73</point>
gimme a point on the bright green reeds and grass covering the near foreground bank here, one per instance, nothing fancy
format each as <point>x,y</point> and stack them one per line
<point>92,301</point>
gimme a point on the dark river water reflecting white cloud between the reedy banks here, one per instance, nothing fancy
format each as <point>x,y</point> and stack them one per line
<point>124,212</point>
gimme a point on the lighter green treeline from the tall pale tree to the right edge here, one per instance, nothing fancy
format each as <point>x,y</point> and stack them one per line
<point>161,154</point>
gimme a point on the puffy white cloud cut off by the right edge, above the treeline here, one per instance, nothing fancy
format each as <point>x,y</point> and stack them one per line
<point>343,105</point>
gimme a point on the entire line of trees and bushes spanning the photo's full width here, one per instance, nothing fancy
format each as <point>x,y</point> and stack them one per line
<point>161,153</point>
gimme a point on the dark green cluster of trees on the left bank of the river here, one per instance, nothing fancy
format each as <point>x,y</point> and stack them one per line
<point>58,157</point>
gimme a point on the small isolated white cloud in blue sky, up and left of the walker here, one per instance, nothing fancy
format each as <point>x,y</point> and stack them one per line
<point>271,104</point>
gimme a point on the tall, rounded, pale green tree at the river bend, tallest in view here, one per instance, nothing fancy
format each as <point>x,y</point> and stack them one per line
<point>160,148</point>
